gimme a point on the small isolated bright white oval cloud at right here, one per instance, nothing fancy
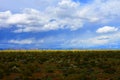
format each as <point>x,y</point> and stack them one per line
<point>107,29</point>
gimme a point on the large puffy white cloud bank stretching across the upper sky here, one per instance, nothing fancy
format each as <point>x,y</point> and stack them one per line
<point>65,14</point>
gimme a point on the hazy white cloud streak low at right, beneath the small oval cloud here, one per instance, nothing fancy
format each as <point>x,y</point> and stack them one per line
<point>101,40</point>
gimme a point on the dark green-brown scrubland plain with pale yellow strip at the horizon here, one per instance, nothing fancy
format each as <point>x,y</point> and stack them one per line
<point>59,65</point>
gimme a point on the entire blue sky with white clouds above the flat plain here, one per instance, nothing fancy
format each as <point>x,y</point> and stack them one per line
<point>59,24</point>
